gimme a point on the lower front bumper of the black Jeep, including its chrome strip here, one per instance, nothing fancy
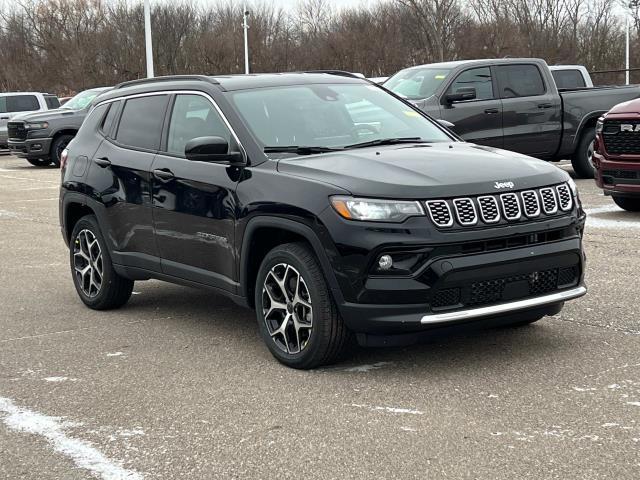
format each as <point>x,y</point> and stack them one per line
<point>504,285</point>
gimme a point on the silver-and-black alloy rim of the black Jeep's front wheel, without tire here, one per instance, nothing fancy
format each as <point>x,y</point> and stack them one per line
<point>286,307</point>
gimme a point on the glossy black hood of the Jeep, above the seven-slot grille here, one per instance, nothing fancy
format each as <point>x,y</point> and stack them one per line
<point>425,170</point>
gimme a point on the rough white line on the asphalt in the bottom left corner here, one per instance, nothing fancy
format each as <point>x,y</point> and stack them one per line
<point>83,454</point>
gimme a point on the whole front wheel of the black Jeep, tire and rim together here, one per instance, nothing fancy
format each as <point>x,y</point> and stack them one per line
<point>321,337</point>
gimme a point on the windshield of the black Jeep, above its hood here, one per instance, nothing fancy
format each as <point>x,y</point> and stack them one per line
<point>331,116</point>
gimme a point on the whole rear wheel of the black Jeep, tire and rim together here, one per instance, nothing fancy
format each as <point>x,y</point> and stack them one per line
<point>88,251</point>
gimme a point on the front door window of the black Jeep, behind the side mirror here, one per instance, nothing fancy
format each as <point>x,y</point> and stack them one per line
<point>193,116</point>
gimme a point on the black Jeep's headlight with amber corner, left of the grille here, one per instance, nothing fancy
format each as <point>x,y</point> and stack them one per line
<point>368,209</point>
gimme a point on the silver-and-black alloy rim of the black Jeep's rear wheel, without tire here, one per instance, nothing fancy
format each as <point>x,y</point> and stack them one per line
<point>87,263</point>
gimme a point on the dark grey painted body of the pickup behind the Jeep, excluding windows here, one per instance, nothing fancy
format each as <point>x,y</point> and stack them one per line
<point>547,126</point>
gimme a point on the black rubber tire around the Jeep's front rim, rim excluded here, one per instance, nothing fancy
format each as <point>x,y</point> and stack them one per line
<point>320,308</point>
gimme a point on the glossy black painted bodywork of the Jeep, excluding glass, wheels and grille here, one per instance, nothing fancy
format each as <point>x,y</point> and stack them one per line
<point>198,228</point>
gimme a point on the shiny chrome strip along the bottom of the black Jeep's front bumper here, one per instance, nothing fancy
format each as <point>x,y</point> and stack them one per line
<point>504,307</point>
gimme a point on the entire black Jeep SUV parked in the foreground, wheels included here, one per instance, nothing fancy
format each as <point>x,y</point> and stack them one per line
<point>322,201</point>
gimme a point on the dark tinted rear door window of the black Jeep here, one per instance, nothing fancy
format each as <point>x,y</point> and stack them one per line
<point>141,122</point>
